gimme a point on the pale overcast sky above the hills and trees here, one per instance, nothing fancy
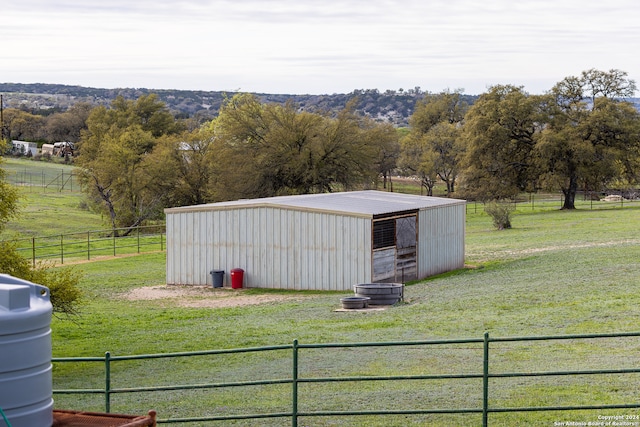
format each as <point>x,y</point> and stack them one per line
<point>315,46</point>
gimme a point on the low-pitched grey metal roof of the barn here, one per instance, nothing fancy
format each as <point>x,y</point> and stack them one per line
<point>367,203</point>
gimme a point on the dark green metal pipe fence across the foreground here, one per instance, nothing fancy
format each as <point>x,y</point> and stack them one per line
<point>484,373</point>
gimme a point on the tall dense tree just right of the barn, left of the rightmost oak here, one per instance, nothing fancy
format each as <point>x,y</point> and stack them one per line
<point>501,130</point>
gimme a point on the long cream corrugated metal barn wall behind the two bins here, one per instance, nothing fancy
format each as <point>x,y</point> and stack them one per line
<point>277,248</point>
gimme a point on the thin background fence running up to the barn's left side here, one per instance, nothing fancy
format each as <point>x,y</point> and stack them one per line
<point>93,243</point>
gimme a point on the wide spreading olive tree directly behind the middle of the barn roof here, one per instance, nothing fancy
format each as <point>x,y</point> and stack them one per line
<point>268,149</point>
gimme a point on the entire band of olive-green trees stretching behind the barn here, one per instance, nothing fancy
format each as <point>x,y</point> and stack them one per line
<point>137,158</point>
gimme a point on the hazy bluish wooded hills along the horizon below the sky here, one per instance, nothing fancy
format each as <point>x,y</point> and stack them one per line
<point>390,106</point>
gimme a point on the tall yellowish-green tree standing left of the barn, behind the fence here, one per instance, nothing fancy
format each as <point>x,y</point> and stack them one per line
<point>121,169</point>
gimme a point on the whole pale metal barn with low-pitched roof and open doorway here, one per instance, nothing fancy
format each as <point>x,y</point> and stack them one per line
<point>328,241</point>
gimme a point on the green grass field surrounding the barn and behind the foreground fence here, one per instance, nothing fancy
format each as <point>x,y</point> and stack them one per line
<point>555,272</point>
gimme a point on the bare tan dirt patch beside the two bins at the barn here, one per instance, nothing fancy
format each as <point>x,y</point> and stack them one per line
<point>204,296</point>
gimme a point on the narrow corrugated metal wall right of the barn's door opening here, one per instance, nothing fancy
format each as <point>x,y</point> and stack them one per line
<point>441,239</point>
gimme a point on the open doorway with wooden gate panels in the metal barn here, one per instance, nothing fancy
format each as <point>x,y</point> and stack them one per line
<point>395,248</point>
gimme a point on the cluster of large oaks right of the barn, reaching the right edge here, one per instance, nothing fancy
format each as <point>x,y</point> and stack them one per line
<point>581,134</point>
